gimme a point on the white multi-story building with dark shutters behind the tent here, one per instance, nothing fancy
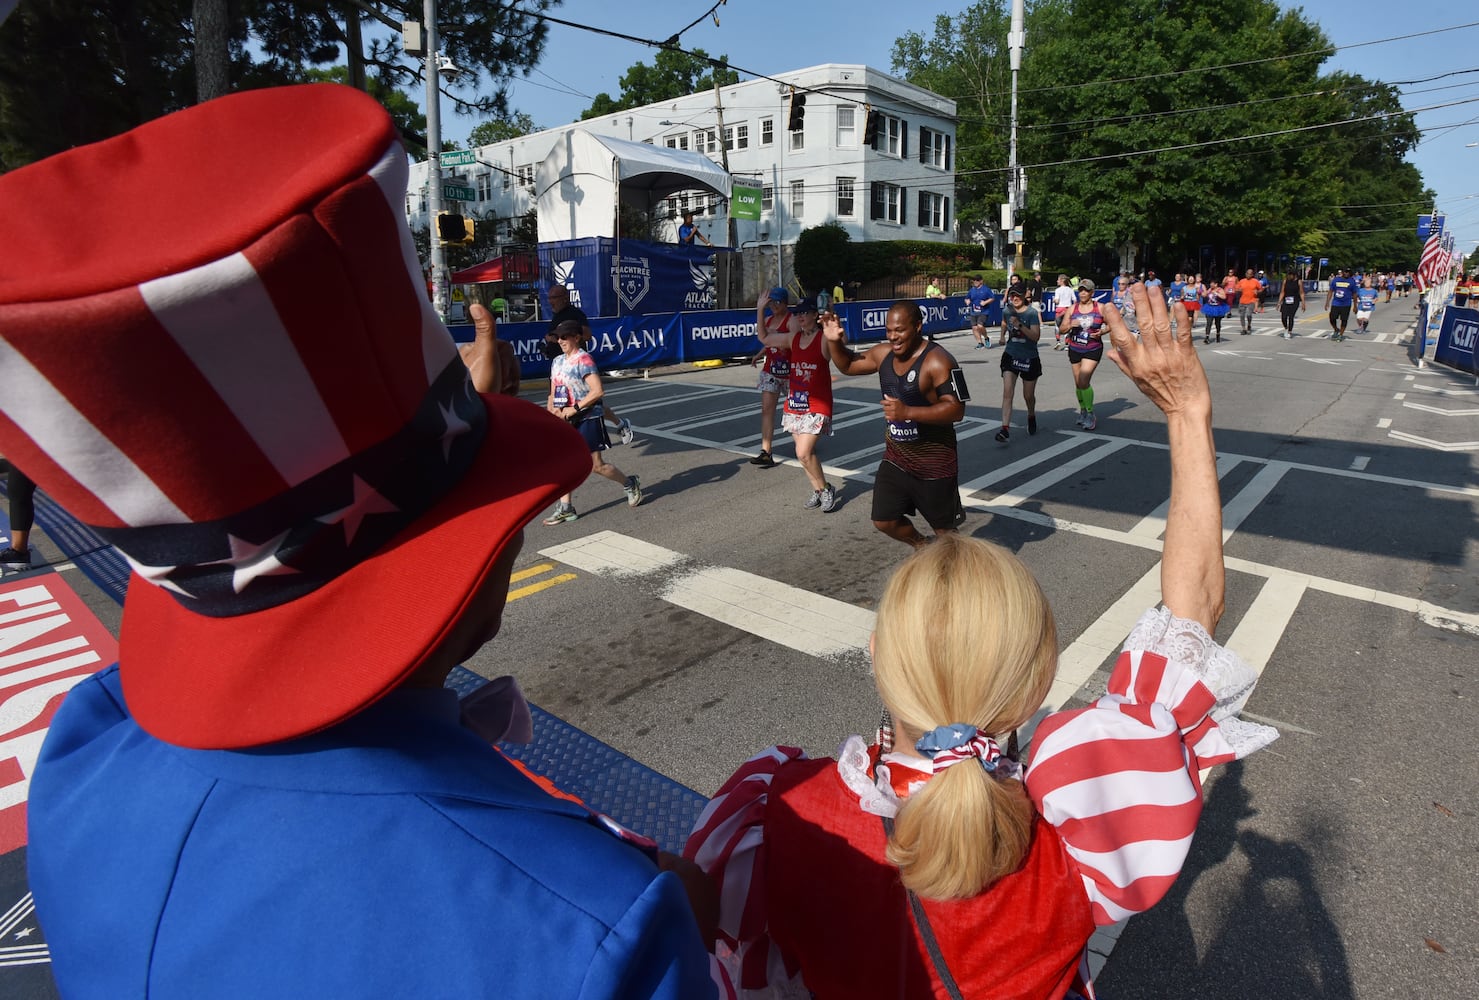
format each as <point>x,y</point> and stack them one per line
<point>900,187</point>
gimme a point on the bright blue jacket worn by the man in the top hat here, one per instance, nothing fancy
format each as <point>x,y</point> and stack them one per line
<point>394,856</point>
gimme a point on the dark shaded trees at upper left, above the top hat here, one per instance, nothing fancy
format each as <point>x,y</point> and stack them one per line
<point>76,72</point>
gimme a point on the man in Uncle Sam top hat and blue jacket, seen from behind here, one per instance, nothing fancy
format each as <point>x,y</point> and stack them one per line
<point>271,795</point>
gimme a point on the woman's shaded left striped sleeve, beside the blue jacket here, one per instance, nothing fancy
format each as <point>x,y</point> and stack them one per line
<point>727,844</point>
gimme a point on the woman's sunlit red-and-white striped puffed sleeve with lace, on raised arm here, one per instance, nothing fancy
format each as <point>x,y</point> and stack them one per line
<point>1120,780</point>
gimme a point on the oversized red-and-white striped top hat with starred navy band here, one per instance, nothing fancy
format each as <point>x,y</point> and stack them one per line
<point>257,405</point>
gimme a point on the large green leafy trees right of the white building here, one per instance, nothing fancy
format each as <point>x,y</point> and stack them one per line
<point>1178,128</point>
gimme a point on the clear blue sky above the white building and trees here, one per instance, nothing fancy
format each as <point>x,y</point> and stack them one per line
<point>768,36</point>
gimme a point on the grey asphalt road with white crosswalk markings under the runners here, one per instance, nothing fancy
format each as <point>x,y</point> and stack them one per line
<point>1339,863</point>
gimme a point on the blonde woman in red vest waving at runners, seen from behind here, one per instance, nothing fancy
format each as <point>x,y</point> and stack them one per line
<point>925,863</point>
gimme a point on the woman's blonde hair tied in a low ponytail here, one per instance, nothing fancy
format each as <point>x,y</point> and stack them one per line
<point>964,637</point>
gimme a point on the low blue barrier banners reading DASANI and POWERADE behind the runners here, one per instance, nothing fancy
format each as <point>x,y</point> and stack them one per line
<point>672,338</point>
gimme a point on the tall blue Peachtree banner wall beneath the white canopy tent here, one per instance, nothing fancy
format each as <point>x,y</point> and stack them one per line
<point>643,279</point>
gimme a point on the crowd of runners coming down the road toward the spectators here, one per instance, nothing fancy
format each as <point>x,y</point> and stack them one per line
<point>922,385</point>
